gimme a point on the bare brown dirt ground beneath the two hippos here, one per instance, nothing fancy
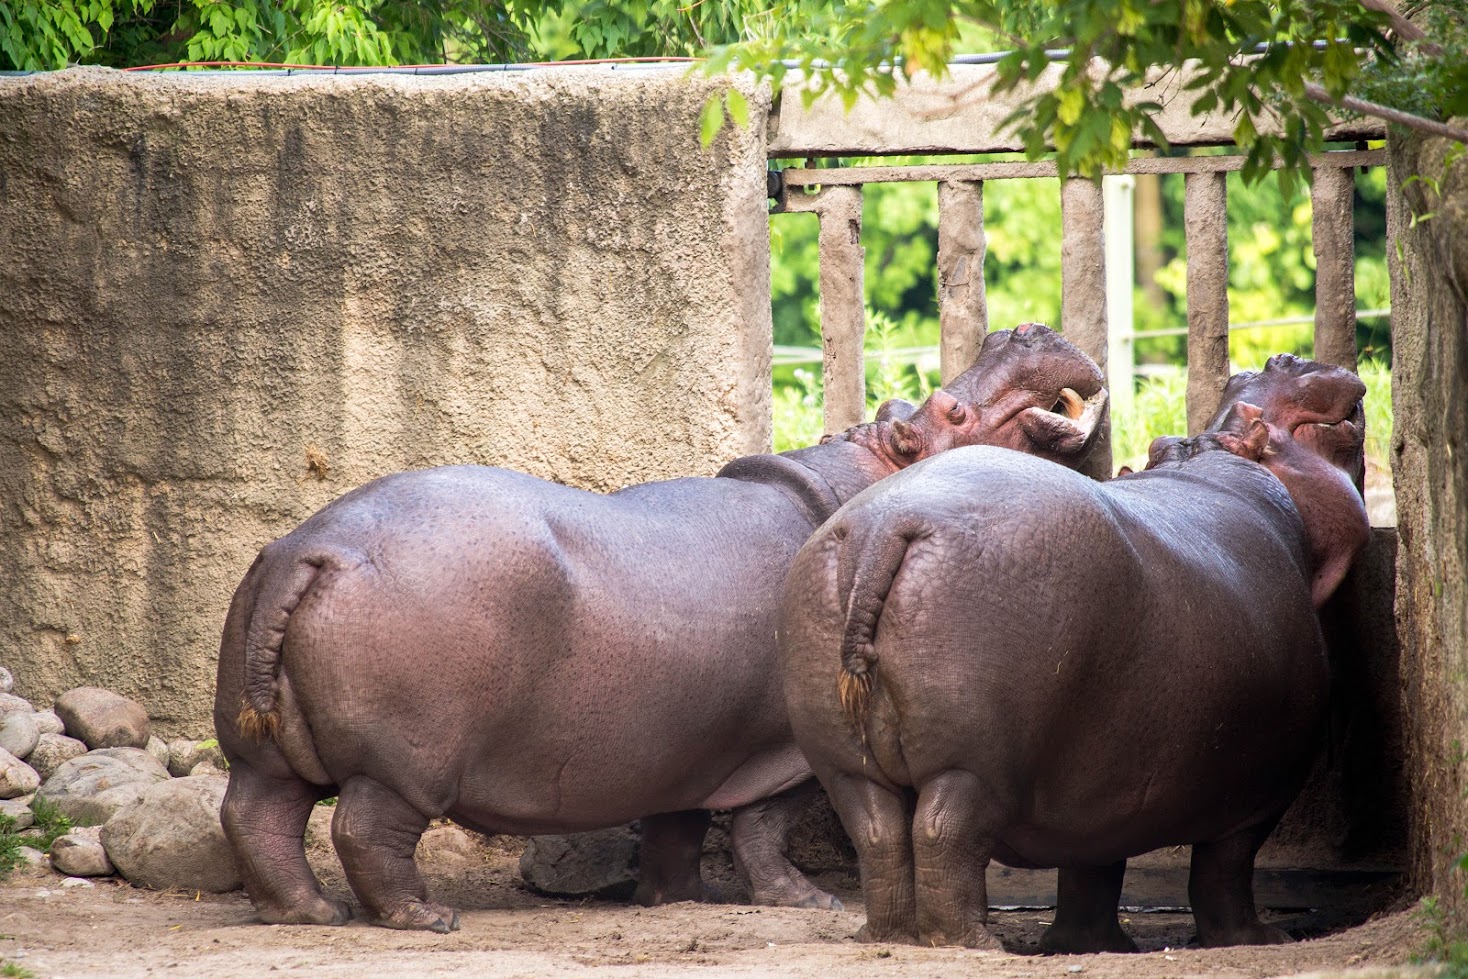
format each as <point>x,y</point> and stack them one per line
<point>115,930</point>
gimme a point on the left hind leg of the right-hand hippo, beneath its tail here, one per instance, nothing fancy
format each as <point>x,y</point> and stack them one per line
<point>879,820</point>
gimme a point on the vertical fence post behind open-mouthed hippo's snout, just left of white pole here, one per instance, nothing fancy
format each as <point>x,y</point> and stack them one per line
<point>1083,291</point>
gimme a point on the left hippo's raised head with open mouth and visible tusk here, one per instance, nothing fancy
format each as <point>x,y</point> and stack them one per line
<point>1030,390</point>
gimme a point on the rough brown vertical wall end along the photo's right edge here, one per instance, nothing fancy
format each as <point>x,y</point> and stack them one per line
<point>1431,441</point>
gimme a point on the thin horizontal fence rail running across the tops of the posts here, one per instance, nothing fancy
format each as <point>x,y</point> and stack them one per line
<point>857,175</point>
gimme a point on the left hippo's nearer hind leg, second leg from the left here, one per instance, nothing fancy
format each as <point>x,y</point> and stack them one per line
<point>377,834</point>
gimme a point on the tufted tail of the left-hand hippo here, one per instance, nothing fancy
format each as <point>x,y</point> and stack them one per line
<point>280,595</point>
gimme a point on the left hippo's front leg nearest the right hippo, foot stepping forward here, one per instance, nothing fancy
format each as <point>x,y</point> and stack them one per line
<point>760,839</point>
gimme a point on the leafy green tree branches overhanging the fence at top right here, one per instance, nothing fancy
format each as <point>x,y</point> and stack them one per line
<point>1290,64</point>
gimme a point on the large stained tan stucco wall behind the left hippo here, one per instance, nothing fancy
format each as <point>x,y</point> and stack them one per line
<point>225,302</point>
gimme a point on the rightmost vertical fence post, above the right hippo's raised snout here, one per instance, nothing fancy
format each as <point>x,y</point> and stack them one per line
<point>1334,205</point>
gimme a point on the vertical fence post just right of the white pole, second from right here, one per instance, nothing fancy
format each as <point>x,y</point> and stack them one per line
<point>1206,227</point>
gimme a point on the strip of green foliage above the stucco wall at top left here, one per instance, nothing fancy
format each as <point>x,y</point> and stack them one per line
<point>51,34</point>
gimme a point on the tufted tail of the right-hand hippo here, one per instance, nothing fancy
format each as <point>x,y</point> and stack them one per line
<point>868,563</point>
